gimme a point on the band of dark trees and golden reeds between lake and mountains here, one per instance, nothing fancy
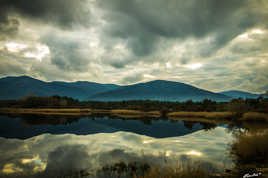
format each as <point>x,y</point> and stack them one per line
<point>207,110</point>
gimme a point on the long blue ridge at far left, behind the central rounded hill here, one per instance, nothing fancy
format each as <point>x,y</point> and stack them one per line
<point>16,87</point>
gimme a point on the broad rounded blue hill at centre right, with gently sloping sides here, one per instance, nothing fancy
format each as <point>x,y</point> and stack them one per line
<point>158,90</point>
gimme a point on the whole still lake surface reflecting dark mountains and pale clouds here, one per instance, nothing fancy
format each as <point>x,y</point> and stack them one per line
<point>38,145</point>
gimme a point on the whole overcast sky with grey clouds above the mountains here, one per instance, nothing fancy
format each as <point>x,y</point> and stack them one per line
<point>214,45</point>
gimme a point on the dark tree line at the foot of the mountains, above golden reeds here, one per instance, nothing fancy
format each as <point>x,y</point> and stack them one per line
<point>235,105</point>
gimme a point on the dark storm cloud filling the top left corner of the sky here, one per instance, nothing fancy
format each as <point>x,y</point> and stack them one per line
<point>65,13</point>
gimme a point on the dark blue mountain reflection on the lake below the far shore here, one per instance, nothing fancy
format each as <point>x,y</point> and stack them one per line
<point>24,127</point>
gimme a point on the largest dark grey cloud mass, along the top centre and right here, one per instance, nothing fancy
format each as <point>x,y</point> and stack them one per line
<point>142,23</point>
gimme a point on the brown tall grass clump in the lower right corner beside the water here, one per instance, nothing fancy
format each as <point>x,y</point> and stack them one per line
<point>249,152</point>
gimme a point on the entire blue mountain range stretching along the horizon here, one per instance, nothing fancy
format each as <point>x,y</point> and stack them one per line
<point>17,87</point>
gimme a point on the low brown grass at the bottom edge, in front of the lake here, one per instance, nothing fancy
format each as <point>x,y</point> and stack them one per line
<point>188,169</point>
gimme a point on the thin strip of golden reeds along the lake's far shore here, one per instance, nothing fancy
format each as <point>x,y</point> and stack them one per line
<point>211,117</point>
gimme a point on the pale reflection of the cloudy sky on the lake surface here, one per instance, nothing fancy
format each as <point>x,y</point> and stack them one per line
<point>46,154</point>
